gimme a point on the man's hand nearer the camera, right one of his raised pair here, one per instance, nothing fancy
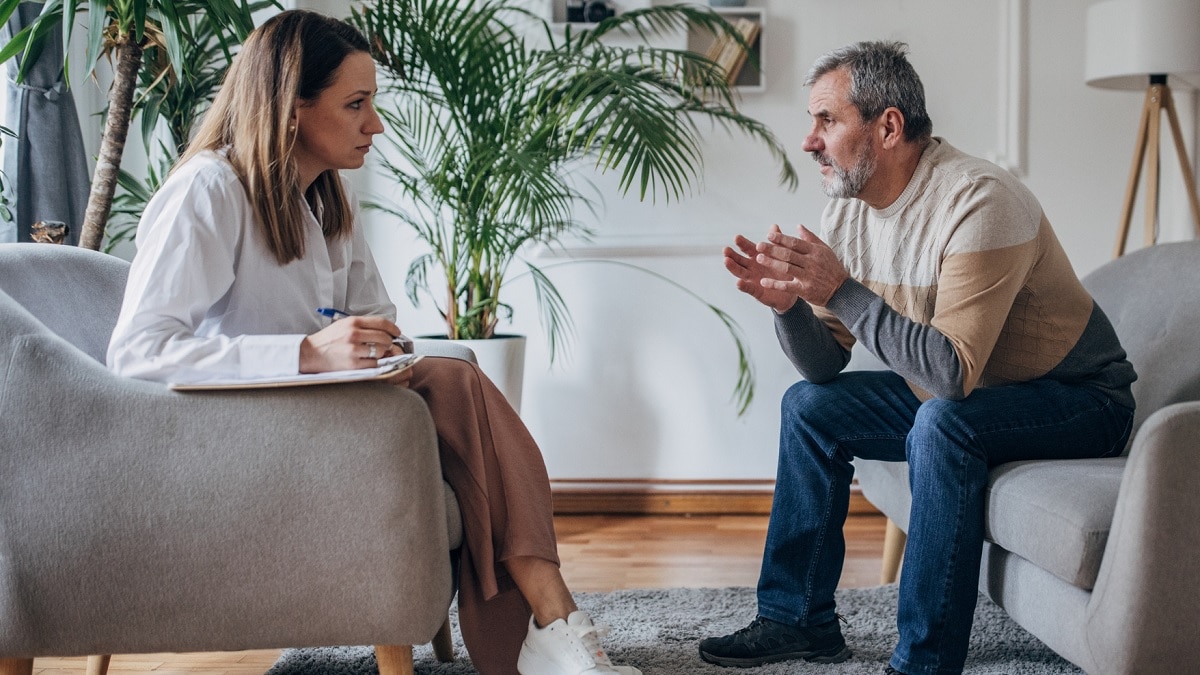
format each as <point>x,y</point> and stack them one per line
<point>800,266</point>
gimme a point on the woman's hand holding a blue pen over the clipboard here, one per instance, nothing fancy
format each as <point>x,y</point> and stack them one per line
<point>349,344</point>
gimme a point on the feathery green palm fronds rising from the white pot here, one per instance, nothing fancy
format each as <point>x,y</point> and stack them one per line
<point>491,110</point>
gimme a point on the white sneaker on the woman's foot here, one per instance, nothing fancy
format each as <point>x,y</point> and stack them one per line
<point>568,648</point>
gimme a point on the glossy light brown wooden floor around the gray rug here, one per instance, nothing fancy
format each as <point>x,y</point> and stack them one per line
<point>601,553</point>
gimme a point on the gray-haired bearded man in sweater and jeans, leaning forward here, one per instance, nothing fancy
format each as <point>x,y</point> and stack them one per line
<point>945,267</point>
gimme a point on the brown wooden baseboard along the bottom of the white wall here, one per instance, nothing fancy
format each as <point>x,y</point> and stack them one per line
<point>665,498</point>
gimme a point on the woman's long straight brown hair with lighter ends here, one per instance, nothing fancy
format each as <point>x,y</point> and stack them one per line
<point>292,57</point>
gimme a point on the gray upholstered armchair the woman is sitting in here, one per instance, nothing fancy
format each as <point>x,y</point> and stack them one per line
<point>135,519</point>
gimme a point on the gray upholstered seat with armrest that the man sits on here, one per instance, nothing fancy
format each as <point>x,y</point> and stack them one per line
<point>1099,559</point>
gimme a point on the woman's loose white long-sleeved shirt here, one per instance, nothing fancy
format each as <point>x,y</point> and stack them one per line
<point>206,296</point>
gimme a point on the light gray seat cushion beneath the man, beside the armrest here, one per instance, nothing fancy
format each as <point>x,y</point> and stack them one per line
<point>1055,513</point>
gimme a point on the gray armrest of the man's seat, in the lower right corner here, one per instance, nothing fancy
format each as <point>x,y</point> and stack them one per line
<point>1147,604</point>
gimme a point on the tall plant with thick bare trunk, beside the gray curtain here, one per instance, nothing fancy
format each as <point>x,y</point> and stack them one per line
<point>124,29</point>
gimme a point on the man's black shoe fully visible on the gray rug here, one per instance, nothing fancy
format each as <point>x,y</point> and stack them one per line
<point>767,642</point>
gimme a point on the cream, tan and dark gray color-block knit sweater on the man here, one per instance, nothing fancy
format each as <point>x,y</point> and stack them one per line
<point>959,284</point>
